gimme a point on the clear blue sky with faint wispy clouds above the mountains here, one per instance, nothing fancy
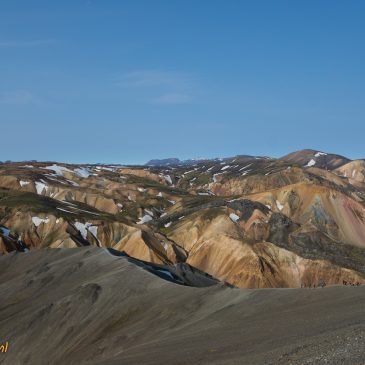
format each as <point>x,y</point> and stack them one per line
<point>126,81</point>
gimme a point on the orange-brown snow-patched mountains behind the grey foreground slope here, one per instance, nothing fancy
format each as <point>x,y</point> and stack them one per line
<point>247,221</point>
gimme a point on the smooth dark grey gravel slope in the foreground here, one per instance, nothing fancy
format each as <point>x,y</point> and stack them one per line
<point>86,306</point>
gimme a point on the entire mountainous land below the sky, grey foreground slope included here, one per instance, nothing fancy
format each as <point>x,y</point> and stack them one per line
<point>238,260</point>
